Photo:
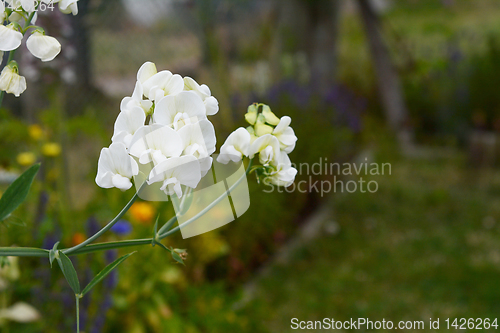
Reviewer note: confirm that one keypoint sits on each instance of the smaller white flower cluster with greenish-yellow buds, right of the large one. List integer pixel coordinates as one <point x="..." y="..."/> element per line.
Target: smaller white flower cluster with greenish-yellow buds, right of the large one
<point x="270" y="137"/>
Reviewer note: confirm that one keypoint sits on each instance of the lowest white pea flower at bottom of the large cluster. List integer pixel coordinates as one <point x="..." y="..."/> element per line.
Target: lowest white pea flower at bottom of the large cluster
<point x="174" y="172"/>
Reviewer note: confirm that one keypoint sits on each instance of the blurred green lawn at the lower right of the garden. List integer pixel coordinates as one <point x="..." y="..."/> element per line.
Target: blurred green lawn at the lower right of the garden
<point x="426" y="245"/>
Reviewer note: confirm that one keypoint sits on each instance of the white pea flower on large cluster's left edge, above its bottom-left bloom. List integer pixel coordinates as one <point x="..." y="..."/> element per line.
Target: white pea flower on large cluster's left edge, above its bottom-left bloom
<point x="127" y="123"/>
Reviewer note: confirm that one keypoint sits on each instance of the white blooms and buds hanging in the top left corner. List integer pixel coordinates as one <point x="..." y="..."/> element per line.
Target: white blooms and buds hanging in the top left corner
<point x="46" y="48"/>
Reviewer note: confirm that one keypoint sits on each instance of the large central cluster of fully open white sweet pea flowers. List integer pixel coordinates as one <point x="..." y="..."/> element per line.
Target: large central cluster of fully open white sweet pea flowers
<point x="162" y="130"/>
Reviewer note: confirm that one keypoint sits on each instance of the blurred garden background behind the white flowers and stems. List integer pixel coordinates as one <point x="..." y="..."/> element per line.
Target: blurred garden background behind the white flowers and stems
<point x="413" y="83"/>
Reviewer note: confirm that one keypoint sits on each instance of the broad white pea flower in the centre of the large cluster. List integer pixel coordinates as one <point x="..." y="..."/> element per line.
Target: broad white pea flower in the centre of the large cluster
<point x="155" y="143"/>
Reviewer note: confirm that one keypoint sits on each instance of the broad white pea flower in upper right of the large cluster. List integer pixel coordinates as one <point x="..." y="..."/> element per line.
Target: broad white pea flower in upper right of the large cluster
<point x="178" y="110"/>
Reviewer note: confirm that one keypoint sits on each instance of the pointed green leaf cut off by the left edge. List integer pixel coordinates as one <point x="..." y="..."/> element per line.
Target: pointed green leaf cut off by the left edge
<point x="17" y="191"/>
